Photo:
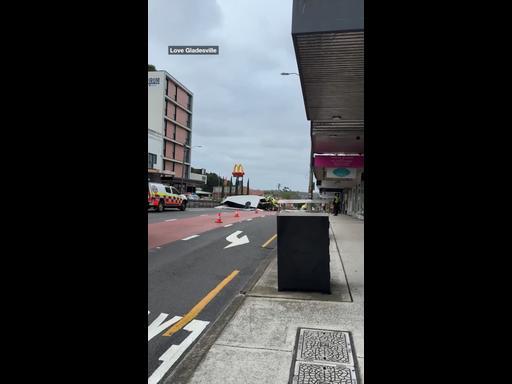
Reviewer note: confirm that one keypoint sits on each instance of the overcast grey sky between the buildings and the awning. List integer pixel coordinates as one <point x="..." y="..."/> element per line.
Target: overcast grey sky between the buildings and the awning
<point x="244" y="110"/>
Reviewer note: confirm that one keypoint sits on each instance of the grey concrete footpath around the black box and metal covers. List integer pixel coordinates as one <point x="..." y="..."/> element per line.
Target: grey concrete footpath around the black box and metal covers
<point x="258" y="345"/>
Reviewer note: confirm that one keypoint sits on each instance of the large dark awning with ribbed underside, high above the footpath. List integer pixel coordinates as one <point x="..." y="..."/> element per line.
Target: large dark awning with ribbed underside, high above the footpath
<point x="328" y="38"/>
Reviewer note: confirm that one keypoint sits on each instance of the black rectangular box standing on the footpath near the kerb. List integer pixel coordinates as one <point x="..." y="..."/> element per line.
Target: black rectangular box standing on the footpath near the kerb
<point x="303" y="252"/>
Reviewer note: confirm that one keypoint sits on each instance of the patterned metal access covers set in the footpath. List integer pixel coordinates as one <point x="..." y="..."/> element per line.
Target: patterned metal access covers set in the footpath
<point x="322" y="357"/>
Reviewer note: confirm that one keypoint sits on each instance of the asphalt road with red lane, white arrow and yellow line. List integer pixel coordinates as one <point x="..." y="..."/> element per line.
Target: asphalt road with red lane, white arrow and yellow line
<point x="194" y="275"/>
